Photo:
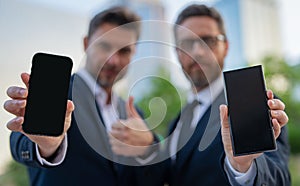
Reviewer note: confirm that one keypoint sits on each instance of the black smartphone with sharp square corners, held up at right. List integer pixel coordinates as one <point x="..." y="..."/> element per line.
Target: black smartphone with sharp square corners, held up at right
<point x="249" y="115"/>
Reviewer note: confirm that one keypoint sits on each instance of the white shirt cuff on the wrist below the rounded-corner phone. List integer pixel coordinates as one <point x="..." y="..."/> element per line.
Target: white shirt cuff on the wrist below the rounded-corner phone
<point x="59" y="157"/>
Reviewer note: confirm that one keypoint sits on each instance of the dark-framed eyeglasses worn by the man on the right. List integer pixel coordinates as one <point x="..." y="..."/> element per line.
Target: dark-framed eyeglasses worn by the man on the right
<point x="211" y="41"/>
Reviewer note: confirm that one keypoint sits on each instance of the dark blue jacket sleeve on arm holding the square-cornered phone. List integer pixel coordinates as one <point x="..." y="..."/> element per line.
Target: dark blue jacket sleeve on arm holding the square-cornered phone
<point x="272" y="167"/>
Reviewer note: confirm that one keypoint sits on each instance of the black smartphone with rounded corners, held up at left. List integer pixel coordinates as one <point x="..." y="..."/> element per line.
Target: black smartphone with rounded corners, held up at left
<point x="47" y="94"/>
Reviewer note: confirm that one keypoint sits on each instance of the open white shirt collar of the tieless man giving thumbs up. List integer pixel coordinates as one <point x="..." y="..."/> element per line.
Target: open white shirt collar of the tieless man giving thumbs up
<point x="95" y="88"/>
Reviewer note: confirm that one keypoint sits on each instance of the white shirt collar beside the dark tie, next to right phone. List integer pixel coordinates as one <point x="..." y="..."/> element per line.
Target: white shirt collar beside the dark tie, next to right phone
<point x="209" y="94"/>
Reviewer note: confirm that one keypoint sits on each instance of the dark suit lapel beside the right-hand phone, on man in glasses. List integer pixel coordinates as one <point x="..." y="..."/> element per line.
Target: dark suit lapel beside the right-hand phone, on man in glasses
<point x="205" y="132"/>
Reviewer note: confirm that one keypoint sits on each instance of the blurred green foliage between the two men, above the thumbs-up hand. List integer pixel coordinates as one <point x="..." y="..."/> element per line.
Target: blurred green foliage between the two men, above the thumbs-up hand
<point x="163" y="99"/>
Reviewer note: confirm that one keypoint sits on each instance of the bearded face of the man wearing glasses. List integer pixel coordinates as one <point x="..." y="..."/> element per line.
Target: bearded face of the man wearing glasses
<point x="203" y="62"/>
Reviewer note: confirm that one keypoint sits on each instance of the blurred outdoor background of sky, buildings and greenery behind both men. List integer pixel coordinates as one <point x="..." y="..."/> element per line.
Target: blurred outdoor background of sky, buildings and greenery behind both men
<point x="259" y="31"/>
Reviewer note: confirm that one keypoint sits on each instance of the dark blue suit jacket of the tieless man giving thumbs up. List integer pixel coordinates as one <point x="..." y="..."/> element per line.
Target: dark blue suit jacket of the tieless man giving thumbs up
<point x="83" y="165"/>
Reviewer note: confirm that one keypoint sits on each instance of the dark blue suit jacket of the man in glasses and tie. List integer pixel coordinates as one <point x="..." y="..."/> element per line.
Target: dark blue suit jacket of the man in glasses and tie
<point x="204" y="166"/>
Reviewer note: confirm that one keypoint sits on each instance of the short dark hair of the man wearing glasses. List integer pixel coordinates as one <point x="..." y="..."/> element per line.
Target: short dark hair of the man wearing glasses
<point x="200" y="10"/>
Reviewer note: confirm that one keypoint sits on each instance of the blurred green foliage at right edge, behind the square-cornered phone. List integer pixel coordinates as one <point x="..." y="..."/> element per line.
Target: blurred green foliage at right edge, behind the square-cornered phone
<point x="284" y="80"/>
